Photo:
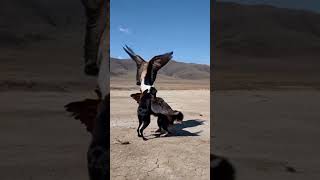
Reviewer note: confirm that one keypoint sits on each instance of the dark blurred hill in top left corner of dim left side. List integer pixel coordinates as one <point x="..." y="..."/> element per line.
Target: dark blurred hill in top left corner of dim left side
<point x="35" y="20"/>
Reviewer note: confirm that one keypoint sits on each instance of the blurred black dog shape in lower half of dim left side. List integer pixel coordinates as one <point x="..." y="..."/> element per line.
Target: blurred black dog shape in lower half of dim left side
<point x="94" y="113"/>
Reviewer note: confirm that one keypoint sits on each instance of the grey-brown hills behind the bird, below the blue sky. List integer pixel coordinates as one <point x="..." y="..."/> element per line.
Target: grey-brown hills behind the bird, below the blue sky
<point x="174" y="69"/>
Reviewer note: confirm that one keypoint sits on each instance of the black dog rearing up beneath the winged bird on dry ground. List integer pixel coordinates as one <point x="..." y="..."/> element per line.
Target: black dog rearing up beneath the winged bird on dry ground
<point x="150" y="104"/>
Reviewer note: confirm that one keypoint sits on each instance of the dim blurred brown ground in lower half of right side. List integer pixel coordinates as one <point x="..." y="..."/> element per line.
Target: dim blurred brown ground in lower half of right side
<point x="268" y="134"/>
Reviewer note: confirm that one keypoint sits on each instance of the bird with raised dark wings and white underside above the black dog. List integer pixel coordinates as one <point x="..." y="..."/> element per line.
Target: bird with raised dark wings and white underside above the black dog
<point x="147" y="71"/>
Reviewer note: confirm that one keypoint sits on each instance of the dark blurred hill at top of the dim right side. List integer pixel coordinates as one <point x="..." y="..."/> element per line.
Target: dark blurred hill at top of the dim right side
<point x="264" y="30"/>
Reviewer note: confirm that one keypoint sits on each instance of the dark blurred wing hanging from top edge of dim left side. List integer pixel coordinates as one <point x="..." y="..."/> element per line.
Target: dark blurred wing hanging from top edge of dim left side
<point x="95" y="26"/>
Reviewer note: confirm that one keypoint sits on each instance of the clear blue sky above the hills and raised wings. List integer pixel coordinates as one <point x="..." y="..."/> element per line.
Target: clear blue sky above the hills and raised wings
<point x="153" y="27"/>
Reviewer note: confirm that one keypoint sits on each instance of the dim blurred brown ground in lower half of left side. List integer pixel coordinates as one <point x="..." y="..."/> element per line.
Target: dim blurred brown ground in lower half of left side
<point x="39" y="140"/>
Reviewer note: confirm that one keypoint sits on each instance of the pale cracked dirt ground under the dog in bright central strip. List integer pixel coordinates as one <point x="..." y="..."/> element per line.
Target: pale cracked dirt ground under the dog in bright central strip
<point x="183" y="156"/>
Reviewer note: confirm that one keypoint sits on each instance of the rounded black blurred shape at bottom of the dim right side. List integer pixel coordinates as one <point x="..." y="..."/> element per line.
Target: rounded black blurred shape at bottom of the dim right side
<point x="221" y="168"/>
